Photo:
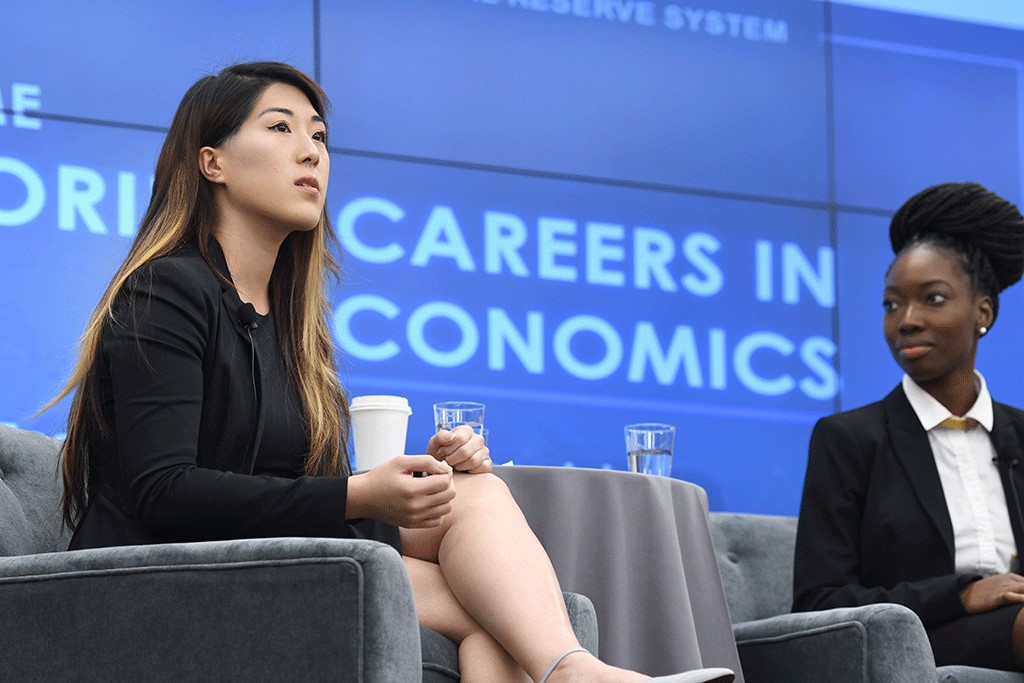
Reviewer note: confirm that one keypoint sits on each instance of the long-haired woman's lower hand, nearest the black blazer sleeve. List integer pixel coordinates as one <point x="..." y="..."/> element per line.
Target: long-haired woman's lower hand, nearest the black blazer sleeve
<point x="392" y="494"/>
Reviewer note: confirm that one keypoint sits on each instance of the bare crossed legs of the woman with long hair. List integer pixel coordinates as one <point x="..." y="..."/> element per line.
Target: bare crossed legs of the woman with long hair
<point x="484" y="580"/>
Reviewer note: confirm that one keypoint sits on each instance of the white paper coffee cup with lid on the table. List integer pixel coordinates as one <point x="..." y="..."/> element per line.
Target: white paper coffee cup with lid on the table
<point x="379" y="426"/>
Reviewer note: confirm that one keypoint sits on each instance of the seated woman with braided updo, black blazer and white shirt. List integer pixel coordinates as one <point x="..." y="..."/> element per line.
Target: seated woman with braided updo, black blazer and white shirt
<point x="917" y="499"/>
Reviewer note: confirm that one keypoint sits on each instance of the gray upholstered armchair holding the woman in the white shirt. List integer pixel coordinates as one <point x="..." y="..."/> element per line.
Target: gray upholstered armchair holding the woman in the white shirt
<point x="883" y="644"/>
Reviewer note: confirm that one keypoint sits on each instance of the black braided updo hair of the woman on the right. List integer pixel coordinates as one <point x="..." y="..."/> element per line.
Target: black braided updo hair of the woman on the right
<point x="985" y="230"/>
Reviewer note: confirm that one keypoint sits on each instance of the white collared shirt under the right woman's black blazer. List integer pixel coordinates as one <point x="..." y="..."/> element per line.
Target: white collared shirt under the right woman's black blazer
<point x="984" y="538"/>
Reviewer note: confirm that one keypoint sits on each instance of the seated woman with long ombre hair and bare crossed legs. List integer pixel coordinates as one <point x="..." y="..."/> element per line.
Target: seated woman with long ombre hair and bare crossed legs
<point x="207" y="404"/>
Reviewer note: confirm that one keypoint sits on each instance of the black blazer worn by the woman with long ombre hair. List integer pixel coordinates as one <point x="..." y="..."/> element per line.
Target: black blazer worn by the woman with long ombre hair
<point x="180" y="385"/>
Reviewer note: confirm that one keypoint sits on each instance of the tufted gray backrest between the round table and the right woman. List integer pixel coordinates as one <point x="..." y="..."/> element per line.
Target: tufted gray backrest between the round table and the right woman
<point x="755" y="558"/>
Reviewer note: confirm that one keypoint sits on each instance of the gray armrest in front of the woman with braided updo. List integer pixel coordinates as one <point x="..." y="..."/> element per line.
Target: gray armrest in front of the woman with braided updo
<point x="882" y="643"/>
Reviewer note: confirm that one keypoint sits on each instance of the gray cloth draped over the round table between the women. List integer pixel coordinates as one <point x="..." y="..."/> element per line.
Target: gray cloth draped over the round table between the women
<point x="639" y="547"/>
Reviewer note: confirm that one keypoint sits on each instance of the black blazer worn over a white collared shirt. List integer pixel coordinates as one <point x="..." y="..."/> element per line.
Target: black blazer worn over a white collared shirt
<point x="874" y="525"/>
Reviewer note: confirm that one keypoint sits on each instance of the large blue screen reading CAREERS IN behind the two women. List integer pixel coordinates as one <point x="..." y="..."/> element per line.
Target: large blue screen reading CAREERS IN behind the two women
<point x="583" y="214"/>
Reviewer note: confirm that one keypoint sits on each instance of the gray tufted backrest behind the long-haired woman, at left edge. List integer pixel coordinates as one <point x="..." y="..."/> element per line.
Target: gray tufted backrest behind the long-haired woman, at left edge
<point x="30" y="494"/>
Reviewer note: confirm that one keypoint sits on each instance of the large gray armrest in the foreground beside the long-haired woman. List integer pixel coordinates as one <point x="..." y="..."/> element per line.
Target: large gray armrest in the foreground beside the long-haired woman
<point x="255" y="610"/>
